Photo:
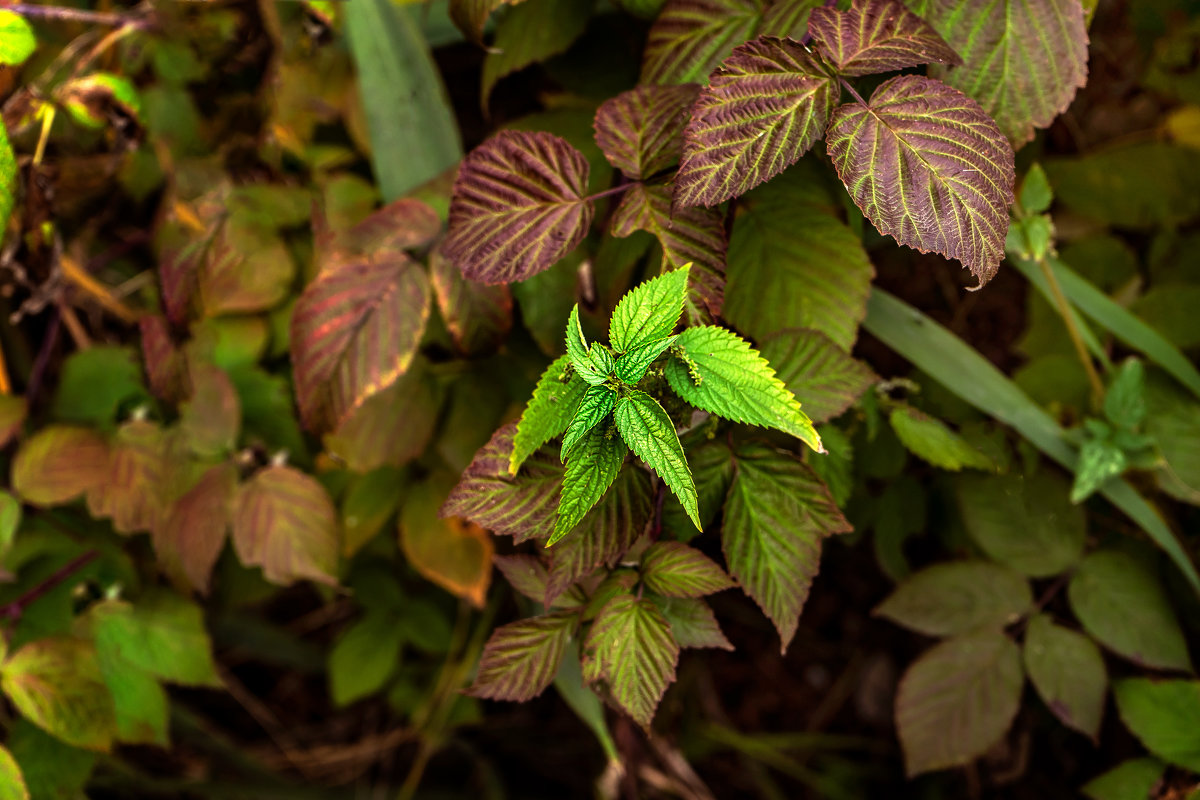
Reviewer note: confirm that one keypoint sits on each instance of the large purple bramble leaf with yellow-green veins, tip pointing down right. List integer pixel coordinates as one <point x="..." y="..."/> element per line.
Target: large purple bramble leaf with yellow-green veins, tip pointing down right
<point x="928" y="167"/>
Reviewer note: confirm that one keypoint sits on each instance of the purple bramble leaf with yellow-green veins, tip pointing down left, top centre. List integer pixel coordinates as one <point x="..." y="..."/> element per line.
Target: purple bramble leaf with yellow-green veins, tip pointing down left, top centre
<point x="764" y="109"/>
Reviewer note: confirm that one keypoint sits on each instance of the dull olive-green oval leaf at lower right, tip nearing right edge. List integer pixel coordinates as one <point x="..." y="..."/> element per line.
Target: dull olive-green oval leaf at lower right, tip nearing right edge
<point x="1121" y="603"/>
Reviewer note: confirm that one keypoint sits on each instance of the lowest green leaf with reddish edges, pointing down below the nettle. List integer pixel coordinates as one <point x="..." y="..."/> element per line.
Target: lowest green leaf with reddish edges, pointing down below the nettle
<point x="632" y="651"/>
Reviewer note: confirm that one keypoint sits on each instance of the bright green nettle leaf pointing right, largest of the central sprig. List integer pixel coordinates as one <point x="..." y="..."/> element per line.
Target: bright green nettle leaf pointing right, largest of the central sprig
<point x="723" y="375"/>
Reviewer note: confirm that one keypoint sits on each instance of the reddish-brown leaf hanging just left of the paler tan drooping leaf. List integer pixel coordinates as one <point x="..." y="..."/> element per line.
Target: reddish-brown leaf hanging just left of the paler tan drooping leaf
<point x="194" y="532"/>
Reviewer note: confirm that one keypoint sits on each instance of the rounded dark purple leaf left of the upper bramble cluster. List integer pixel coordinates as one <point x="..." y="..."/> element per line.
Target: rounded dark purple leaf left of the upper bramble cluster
<point x="519" y="206"/>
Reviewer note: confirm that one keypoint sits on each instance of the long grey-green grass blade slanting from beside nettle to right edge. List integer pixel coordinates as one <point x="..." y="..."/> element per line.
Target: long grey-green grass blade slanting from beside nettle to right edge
<point x="962" y="370"/>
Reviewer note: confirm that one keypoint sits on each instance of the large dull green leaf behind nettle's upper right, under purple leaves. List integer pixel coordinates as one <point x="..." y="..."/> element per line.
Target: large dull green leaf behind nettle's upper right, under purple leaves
<point x="790" y="245"/>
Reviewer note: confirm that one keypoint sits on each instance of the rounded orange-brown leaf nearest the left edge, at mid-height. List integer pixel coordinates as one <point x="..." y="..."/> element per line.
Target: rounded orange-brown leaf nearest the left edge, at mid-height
<point x="58" y="465"/>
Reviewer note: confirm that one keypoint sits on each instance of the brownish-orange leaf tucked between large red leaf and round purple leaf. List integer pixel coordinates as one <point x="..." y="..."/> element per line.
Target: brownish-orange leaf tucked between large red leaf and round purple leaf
<point x="478" y="316"/>
